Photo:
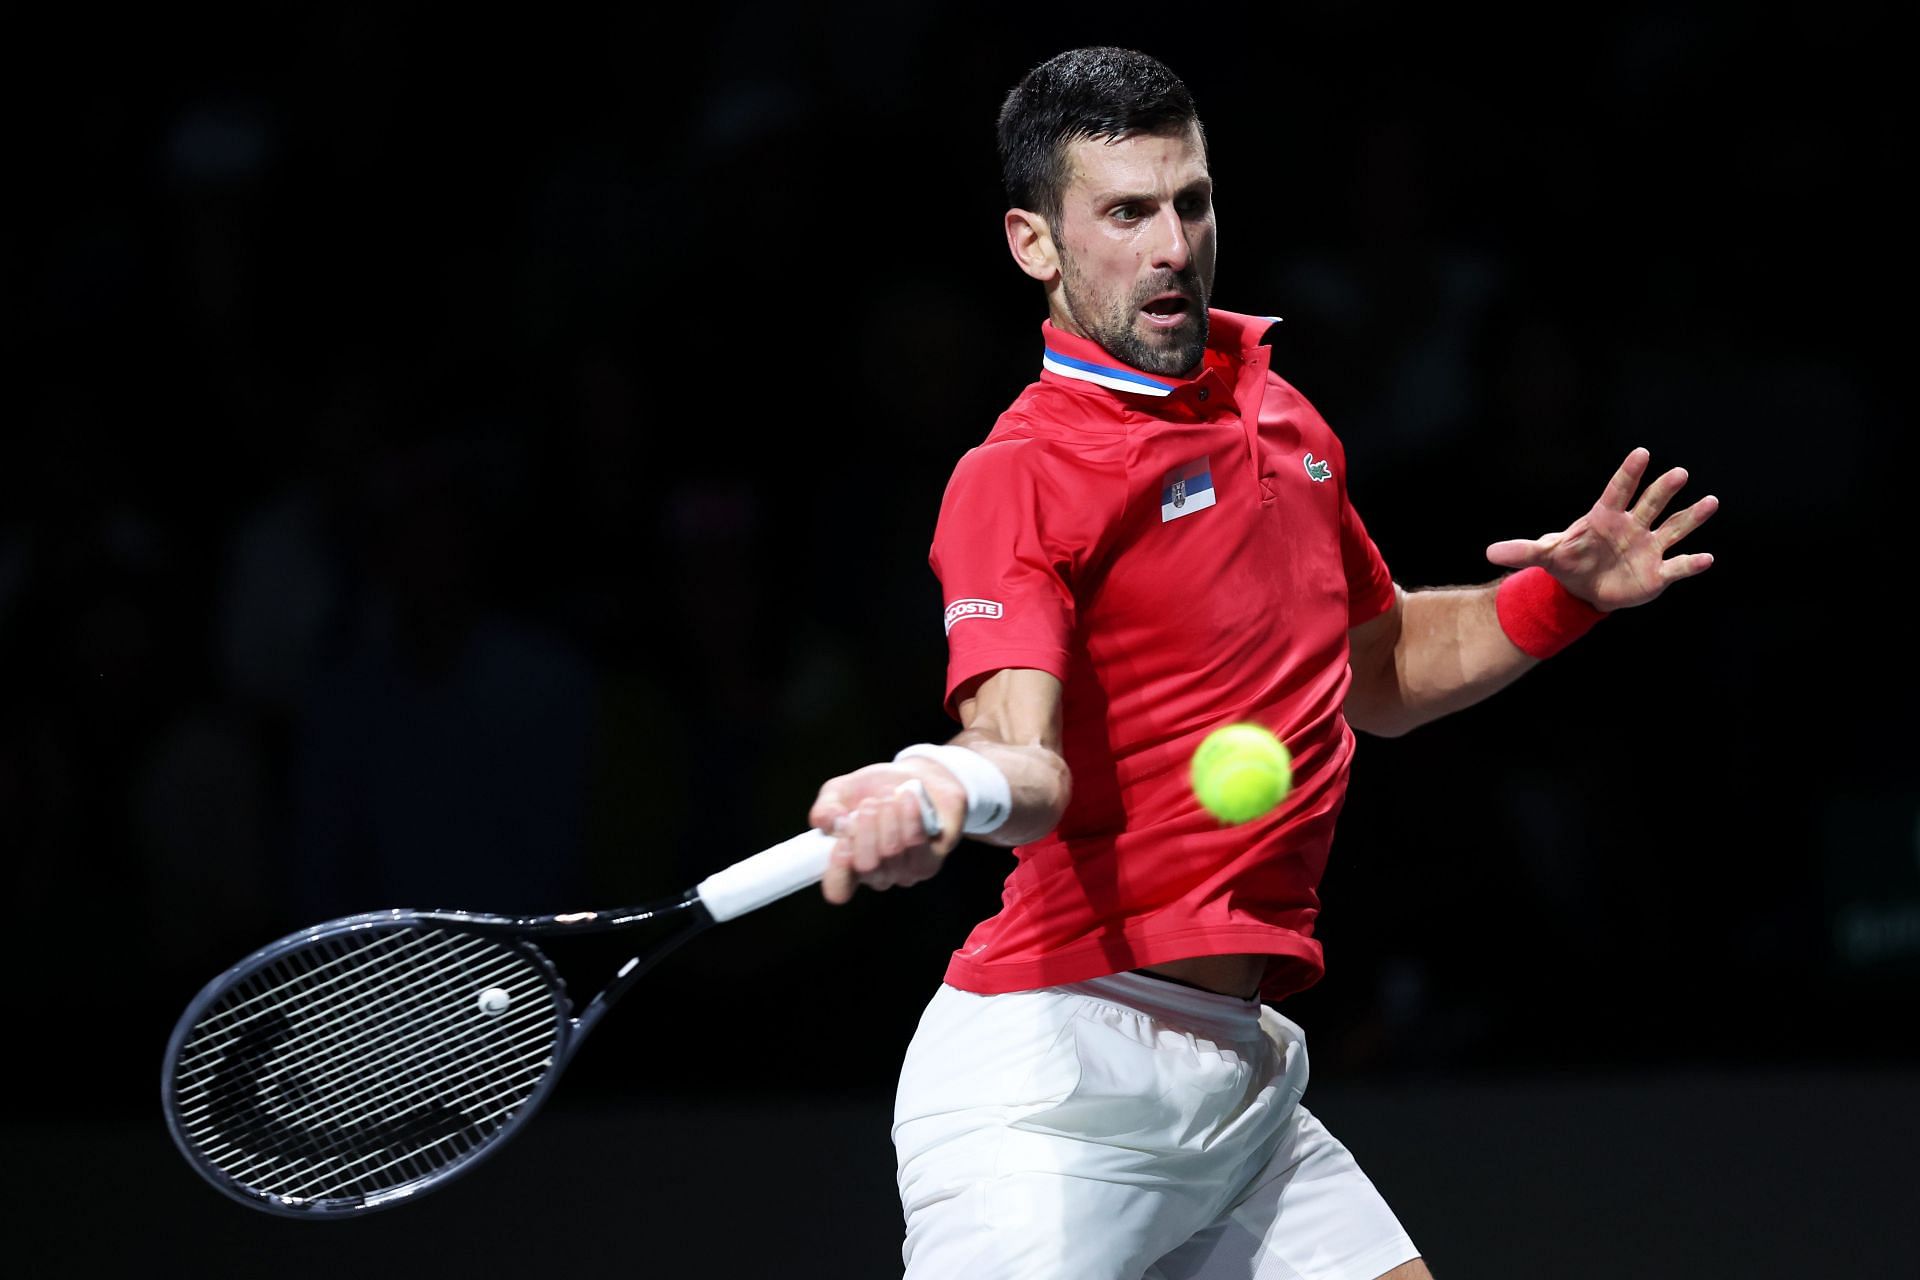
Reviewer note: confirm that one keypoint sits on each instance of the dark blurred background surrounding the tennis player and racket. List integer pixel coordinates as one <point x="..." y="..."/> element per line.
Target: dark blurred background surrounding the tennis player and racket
<point x="491" y="462"/>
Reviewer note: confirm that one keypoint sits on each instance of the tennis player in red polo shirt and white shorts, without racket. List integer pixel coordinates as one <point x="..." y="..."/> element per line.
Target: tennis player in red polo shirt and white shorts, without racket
<point x="1153" y="542"/>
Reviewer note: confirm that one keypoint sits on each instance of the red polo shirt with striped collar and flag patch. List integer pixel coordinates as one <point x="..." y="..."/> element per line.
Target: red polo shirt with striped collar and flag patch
<point x="1182" y="554"/>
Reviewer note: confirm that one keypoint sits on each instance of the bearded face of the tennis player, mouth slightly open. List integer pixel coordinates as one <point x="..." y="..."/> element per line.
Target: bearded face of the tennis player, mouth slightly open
<point x="1136" y="239"/>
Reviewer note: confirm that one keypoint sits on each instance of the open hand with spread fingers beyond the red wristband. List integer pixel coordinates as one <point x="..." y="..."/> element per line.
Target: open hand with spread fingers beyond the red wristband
<point x="1614" y="557"/>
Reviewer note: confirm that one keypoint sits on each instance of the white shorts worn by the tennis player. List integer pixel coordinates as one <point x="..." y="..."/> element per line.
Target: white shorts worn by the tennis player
<point x="1124" y="1129"/>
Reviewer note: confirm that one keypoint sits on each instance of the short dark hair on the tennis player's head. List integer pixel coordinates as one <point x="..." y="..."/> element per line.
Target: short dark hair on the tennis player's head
<point x="1086" y="93"/>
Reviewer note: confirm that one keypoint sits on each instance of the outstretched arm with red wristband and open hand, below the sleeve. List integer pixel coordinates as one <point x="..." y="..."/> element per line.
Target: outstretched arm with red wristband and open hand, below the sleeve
<point x="1443" y="650"/>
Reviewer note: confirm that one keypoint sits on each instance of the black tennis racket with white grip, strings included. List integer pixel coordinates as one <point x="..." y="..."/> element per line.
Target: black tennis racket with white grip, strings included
<point x="364" y="1062"/>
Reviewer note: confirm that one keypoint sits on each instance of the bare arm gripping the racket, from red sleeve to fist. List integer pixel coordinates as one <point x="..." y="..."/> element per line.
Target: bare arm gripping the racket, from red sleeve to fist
<point x="1013" y="723"/>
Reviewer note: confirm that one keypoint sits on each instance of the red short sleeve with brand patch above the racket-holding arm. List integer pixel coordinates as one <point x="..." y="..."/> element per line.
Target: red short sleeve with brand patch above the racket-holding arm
<point x="1013" y="529"/>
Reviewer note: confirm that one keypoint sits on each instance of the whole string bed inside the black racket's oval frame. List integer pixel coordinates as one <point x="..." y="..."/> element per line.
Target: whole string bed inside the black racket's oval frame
<point x="356" y="1066"/>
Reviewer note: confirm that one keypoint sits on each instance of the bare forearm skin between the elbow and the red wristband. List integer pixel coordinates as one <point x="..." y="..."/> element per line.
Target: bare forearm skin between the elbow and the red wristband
<point x="1451" y="655"/>
